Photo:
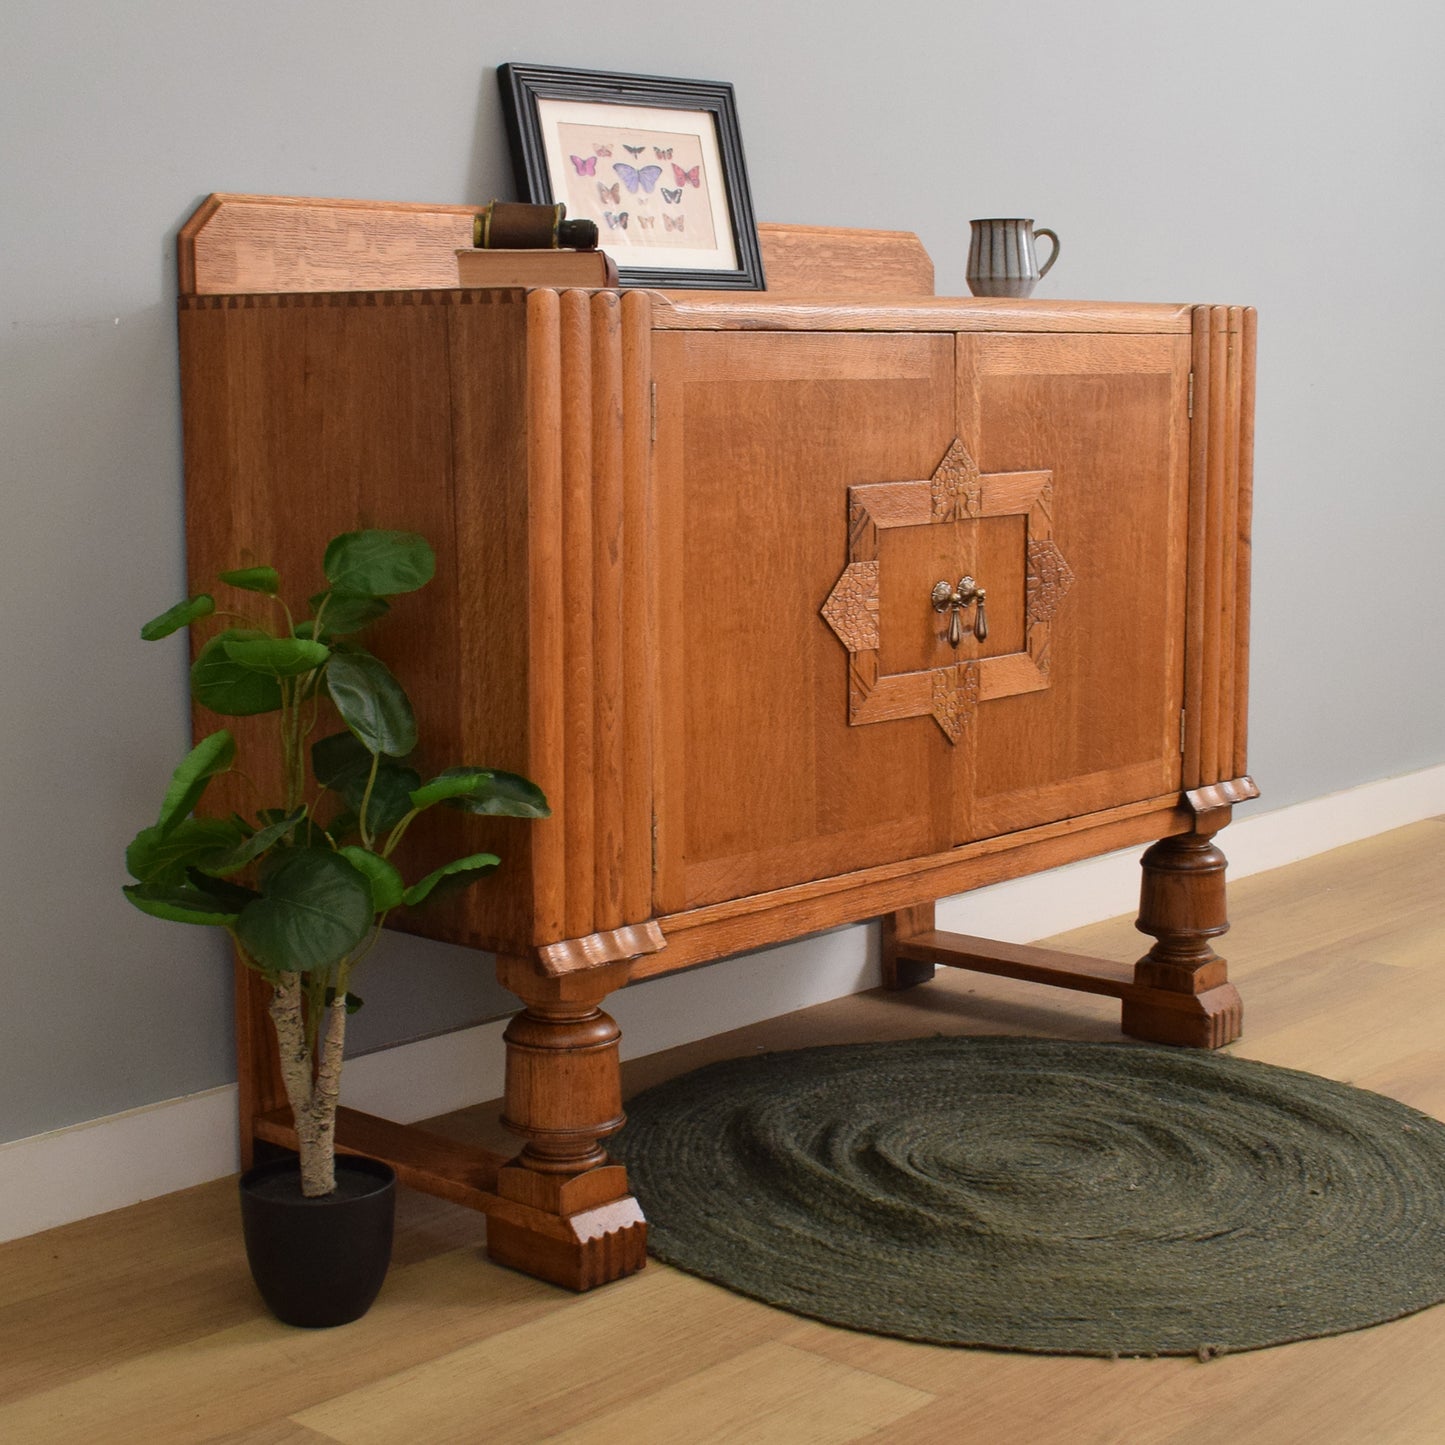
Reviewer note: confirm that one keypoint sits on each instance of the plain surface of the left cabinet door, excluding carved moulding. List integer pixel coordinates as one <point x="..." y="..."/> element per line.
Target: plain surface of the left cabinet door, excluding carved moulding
<point x="762" y="780"/>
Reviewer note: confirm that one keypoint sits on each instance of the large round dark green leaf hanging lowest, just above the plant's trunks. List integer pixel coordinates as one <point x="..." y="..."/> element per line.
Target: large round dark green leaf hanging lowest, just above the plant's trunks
<point x="314" y="910"/>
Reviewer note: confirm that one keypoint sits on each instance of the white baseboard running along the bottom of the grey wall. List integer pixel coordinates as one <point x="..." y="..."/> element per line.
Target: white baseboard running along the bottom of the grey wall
<point x="108" y="1164"/>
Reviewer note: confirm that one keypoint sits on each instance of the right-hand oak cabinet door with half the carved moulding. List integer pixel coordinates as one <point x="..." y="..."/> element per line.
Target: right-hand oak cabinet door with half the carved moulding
<point x="1093" y="573"/>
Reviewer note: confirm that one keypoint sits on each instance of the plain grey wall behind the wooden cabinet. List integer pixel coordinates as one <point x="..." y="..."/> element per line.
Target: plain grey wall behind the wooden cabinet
<point x="1249" y="151"/>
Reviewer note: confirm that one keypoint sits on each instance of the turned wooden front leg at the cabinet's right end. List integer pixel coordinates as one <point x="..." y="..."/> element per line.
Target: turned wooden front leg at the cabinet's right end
<point x="1183" y="907"/>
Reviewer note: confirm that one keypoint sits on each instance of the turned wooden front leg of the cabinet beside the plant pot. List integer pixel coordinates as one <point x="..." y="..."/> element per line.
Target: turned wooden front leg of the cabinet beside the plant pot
<point x="566" y="1212"/>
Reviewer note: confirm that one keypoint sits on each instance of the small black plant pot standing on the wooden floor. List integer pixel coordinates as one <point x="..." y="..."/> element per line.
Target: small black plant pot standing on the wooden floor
<point x="319" y="1262"/>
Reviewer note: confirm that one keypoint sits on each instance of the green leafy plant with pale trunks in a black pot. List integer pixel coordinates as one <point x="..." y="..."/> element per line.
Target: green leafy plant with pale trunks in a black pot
<point x="306" y="876"/>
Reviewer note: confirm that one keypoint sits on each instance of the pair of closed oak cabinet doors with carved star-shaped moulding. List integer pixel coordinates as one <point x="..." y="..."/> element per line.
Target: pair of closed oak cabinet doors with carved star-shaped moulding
<point x="817" y="712"/>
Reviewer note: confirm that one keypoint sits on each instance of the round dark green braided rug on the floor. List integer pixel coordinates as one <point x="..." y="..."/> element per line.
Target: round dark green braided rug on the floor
<point x="1045" y="1196"/>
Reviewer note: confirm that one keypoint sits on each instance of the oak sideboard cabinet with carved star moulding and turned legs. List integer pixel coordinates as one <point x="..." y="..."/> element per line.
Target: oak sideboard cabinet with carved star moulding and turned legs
<point x="712" y="573"/>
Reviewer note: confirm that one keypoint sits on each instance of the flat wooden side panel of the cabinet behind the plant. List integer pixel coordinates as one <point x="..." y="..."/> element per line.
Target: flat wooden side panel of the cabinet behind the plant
<point x="307" y="417"/>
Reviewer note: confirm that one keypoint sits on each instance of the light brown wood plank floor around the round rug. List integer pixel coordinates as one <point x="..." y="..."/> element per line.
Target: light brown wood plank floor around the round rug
<point x="142" y="1326"/>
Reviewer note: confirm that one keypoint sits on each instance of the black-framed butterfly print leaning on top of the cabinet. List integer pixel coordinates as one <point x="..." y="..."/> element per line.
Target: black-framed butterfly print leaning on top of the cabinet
<point x="655" y="163"/>
